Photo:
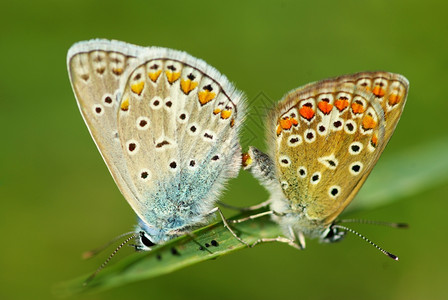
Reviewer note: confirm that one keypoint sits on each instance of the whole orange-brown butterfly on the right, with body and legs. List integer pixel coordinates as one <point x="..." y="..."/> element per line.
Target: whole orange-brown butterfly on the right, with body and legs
<point x="324" y="139"/>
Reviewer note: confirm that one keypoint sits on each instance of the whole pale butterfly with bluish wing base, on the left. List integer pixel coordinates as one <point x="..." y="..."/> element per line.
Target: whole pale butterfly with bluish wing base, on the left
<point x="166" y="124"/>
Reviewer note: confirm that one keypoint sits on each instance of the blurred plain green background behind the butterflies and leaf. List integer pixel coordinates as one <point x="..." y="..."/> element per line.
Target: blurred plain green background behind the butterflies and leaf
<point x="59" y="200"/>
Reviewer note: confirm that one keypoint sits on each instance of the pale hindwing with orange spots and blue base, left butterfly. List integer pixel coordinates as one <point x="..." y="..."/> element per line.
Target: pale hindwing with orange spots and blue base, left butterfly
<point x="178" y="123"/>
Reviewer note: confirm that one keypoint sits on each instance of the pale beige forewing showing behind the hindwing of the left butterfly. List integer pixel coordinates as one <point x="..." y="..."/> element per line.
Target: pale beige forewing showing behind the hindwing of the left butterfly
<point x="98" y="70"/>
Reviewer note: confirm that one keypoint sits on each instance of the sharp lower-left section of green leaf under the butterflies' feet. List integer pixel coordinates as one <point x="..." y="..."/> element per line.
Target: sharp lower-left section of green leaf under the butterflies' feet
<point x="173" y="255"/>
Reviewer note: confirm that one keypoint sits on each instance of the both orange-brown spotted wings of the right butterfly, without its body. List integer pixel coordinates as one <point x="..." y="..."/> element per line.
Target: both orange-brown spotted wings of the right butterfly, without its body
<point x="327" y="136"/>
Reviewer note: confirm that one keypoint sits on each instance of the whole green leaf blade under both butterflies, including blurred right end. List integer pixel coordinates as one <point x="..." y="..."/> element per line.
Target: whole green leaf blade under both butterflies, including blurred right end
<point x="407" y="173"/>
